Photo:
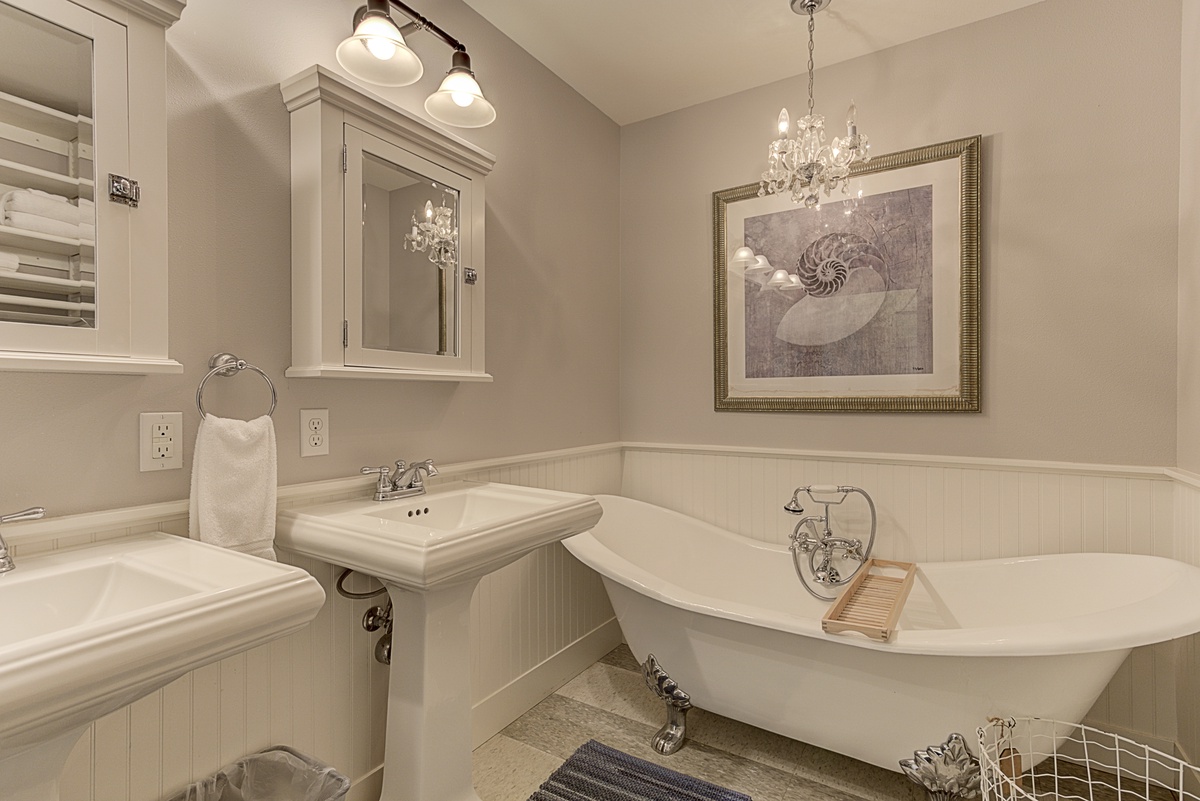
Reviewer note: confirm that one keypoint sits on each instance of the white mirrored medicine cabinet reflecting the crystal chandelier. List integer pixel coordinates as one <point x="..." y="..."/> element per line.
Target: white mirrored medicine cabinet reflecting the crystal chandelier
<point x="344" y="140"/>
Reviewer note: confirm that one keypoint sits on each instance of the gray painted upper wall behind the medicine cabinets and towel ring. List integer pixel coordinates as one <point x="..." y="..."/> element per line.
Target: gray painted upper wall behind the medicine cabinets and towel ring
<point x="70" y="442"/>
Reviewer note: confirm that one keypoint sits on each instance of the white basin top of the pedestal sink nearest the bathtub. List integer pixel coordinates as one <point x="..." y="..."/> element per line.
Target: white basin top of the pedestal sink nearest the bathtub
<point x="455" y="533"/>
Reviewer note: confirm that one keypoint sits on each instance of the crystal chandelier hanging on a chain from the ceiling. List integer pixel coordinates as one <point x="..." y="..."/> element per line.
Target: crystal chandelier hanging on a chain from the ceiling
<point x="806" y="166"/>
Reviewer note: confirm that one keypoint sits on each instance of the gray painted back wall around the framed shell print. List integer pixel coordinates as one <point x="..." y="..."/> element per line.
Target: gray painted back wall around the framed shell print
<point x="1079" y="106"/>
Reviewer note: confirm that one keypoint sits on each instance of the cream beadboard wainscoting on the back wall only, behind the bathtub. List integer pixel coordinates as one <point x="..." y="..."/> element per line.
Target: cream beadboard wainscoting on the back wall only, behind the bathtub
<point x="946" y="510"/>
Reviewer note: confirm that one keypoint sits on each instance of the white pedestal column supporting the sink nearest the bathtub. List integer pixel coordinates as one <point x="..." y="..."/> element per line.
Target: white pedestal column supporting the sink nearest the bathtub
<point x="428" y="755"/>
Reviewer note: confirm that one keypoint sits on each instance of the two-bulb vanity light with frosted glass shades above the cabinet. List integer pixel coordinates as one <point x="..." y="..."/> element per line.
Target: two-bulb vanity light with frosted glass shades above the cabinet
<point x="377" y="53"/>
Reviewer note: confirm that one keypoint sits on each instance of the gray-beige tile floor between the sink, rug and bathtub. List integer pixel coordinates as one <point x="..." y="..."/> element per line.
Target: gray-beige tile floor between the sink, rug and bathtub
<point x="609" y="702"/>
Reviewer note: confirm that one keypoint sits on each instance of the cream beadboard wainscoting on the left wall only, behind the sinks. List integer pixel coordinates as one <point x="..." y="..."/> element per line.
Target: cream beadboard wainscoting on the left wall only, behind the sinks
<point x="537" y="624"/>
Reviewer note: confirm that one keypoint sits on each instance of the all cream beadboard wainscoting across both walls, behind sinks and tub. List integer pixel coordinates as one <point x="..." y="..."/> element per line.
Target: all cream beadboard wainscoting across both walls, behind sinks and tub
<point x="543" y="619"/>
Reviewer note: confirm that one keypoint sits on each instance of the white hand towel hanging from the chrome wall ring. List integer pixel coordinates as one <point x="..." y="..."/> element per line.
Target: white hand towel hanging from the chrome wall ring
<point x="235" y="484"/>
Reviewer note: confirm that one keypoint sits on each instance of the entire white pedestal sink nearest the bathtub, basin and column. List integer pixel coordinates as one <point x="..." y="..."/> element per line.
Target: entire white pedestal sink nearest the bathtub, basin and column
<point x="430" y="552"/>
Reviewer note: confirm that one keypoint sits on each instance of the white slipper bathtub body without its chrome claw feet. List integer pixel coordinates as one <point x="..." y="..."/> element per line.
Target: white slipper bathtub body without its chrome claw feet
<point x="728" y="619"/>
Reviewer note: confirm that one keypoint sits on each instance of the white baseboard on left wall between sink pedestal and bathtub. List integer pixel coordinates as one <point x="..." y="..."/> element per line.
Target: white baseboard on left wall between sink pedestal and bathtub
<point x="525" y="692"/>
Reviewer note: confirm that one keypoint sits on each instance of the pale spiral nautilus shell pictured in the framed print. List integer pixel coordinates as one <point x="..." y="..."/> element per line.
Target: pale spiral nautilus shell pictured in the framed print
<point x="843" y="275"/>
